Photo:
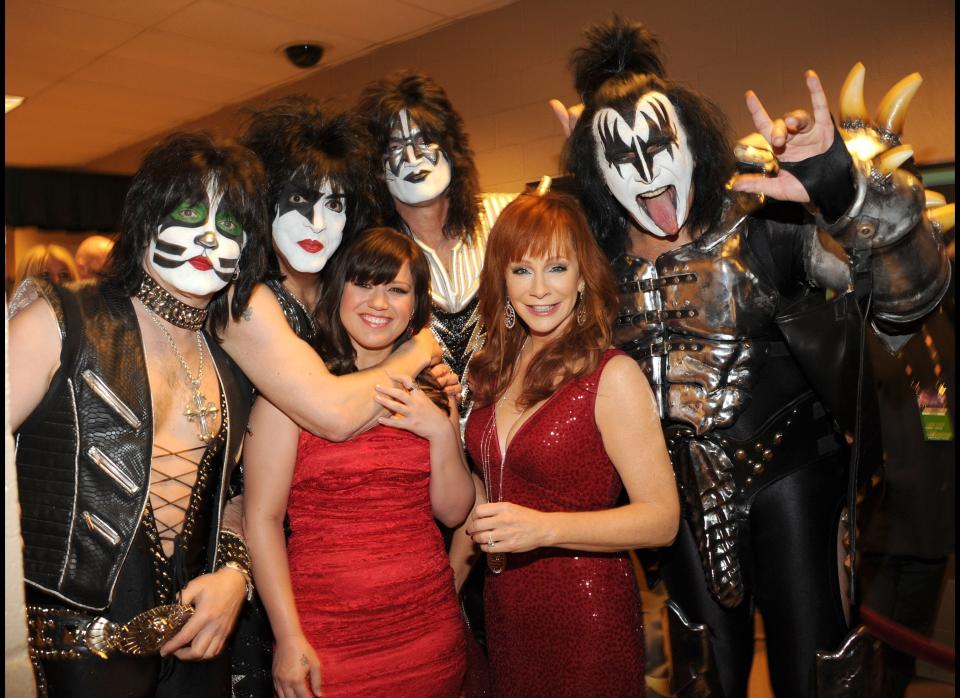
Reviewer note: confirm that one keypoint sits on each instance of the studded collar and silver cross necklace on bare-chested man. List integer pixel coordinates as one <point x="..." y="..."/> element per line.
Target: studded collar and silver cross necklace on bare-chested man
<point x="161" y="304"/>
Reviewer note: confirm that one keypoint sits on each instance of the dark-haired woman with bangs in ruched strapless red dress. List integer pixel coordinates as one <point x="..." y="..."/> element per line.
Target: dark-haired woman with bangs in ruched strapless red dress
<point x="362" y="602"/>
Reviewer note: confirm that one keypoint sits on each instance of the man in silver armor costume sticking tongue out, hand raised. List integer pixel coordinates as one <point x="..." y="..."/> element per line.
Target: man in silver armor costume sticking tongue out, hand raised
<point x="756" y="375"/>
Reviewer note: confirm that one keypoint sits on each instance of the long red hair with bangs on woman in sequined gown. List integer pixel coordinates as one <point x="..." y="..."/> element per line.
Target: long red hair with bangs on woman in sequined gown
<point x="541" y="226"/>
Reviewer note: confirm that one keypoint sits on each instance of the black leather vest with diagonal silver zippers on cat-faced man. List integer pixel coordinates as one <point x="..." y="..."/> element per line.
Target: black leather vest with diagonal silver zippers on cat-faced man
<point x="83" y="455"/>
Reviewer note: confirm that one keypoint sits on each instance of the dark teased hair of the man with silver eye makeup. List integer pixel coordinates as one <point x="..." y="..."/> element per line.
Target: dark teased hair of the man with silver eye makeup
<point x="429" y="106"/>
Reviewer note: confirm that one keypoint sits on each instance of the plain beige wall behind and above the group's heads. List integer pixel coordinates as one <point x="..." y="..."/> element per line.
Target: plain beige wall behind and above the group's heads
<point x="500" y="68"/>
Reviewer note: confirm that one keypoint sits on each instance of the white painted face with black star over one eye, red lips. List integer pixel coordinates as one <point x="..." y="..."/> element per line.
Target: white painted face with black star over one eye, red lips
<point x="308" y="227"/>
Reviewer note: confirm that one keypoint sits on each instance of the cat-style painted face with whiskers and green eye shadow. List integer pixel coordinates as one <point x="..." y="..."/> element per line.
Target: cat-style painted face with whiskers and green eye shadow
<point x="197" y="246"/>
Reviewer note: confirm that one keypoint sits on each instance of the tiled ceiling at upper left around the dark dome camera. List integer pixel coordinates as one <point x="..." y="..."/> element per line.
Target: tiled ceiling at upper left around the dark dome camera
<point x="99" y="75"/>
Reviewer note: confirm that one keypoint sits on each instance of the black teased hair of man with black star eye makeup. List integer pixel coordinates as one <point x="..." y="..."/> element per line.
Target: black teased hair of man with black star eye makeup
<point x="293" y="135"/>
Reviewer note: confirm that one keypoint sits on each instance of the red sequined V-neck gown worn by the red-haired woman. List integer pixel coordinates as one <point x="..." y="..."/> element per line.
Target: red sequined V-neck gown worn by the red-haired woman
<point x="560" y="622"/>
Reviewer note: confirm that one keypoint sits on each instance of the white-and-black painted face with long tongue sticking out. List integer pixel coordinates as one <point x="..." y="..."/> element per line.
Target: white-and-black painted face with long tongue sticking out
<point x="647" y="165"/>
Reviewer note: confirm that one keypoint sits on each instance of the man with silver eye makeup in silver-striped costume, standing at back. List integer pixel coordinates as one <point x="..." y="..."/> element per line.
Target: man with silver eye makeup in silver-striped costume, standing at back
<point x="430" y="190"/>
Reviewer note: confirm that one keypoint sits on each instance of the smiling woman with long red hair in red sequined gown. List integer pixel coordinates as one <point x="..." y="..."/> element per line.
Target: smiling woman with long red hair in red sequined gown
<point x="562" y="424"/>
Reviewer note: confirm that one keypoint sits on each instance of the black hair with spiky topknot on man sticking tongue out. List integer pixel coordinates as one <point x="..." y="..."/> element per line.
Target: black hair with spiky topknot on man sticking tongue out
<point x="620" y="63"/>
